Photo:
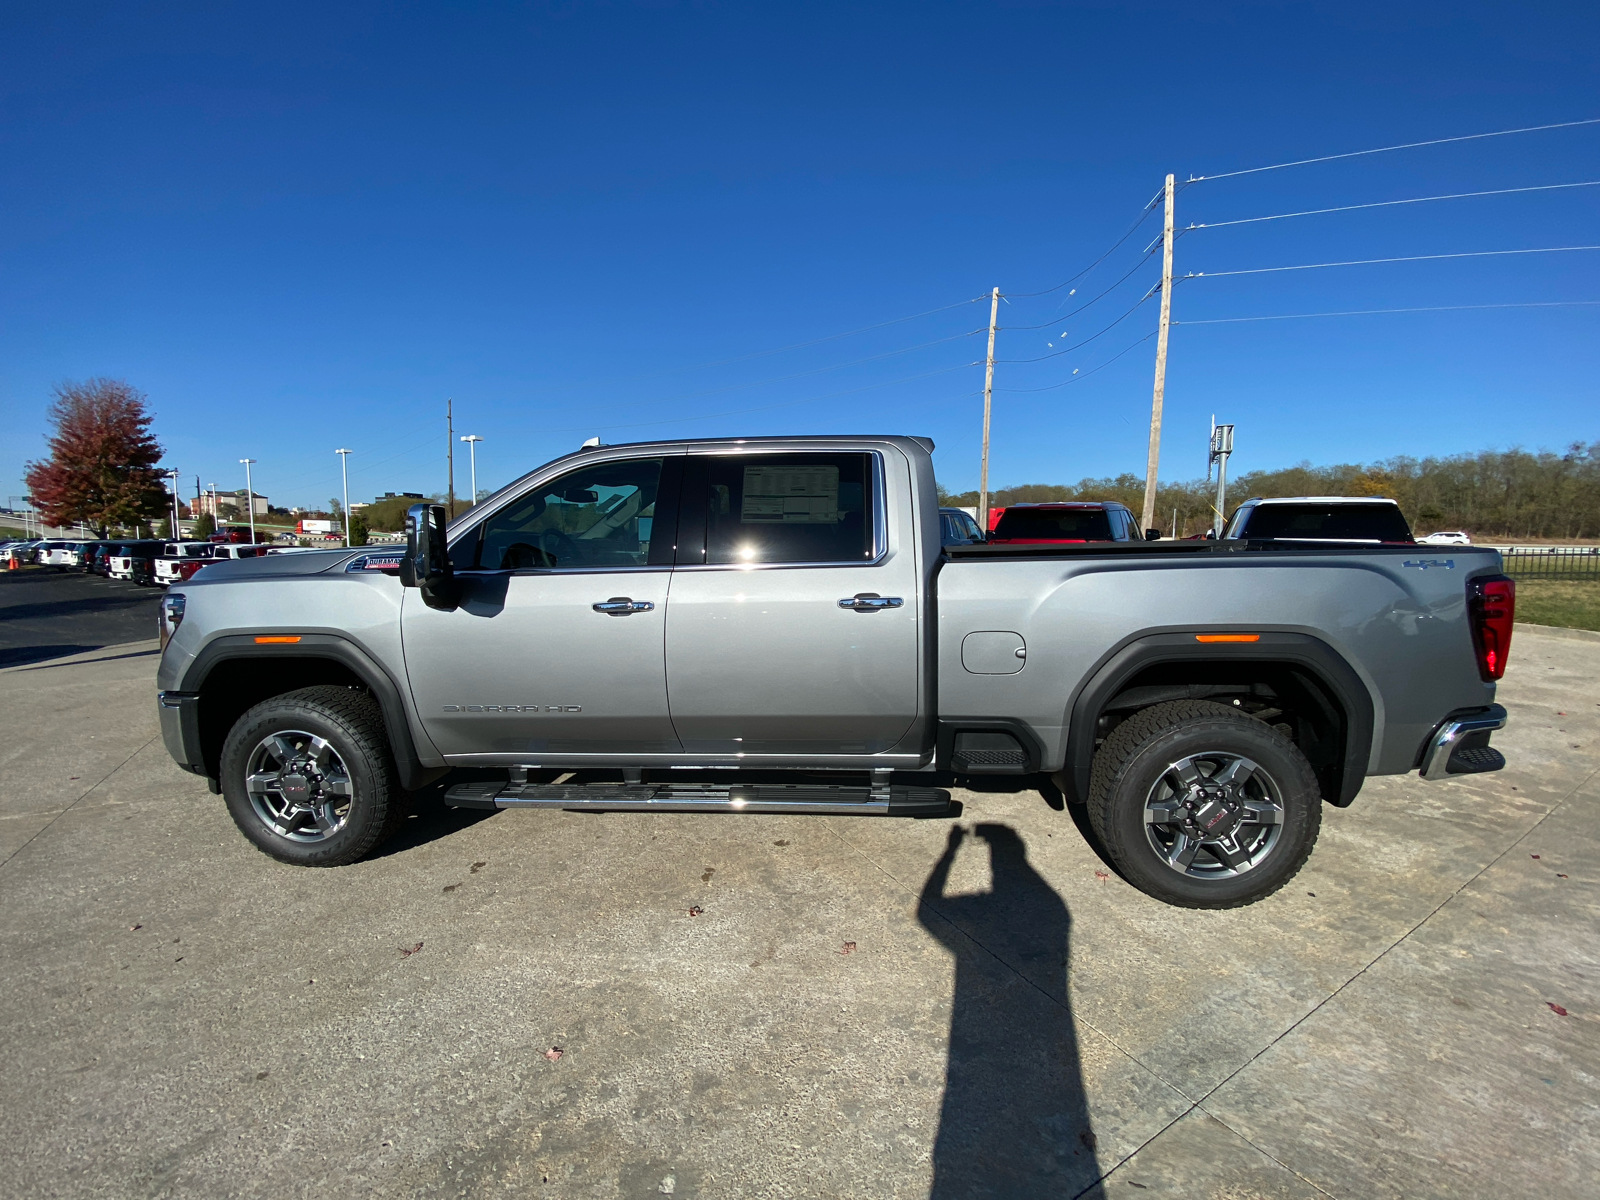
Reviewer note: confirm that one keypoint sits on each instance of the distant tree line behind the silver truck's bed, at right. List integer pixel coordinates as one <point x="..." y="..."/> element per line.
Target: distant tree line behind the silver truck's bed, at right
<point x="1495" y="494"/>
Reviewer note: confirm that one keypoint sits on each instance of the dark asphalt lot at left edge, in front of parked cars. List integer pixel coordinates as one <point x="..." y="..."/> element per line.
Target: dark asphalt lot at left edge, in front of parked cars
<point x="47" y="615"/>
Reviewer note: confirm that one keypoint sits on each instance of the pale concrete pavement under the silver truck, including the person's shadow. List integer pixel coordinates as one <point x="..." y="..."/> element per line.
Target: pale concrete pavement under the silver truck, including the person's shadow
<point x="551" y="1004"/>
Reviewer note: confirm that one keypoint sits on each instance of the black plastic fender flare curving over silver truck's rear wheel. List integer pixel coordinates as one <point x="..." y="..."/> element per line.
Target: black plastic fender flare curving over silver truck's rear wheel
<point x="1314" y="655"/>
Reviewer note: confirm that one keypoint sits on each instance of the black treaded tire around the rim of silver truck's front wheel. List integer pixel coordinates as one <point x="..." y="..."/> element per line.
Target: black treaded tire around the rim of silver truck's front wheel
<point x="353" y="726"/>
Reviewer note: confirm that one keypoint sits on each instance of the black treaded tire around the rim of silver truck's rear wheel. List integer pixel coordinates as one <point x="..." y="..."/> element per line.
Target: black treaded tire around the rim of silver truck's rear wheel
<point x="1140" y="753"/>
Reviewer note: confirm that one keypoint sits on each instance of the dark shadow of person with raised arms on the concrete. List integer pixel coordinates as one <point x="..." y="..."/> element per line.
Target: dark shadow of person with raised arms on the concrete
<point x="1015" y="1121"/>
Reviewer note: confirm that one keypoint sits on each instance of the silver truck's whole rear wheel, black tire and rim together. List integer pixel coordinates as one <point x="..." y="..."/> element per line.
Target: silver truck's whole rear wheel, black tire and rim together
<point x="1202" y="806"/>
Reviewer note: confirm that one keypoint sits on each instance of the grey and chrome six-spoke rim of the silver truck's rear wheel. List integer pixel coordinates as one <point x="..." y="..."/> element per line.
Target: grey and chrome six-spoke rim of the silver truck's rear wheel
<point x="1214" y="815"/>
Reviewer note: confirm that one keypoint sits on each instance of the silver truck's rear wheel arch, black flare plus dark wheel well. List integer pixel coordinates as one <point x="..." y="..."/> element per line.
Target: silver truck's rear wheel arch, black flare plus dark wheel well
<point x="1340" y="706"/>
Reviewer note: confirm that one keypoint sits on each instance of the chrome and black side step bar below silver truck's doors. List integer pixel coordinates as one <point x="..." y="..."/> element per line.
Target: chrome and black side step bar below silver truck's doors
<point x="706" y="799"/>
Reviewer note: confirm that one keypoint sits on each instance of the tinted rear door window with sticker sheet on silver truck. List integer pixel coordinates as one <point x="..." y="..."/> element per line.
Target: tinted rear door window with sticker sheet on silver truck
<point x="780" y="510"/>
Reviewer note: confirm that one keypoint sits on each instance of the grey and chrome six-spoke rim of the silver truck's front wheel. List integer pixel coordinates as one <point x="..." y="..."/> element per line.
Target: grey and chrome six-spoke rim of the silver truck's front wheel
<point x="300" y="786"/>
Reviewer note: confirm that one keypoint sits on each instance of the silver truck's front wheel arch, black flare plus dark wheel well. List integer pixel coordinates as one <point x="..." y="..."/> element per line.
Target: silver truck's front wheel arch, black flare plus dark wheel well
<point x="236" y="673"/>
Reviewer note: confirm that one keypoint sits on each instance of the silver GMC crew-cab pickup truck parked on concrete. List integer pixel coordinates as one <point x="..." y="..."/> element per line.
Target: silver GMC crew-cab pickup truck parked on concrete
<point x="774" y="625"/>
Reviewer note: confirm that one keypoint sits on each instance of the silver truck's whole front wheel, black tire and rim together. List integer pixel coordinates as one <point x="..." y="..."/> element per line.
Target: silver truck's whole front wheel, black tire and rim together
<point x="310" y="777"/>
